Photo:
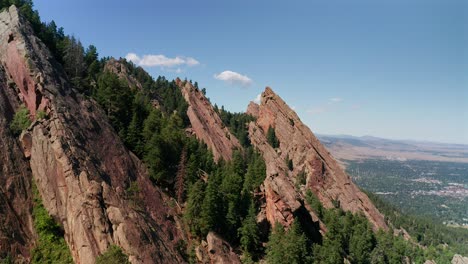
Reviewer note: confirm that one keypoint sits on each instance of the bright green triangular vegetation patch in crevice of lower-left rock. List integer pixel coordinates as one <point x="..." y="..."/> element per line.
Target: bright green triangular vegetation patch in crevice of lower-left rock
<point x="51" y="246"/>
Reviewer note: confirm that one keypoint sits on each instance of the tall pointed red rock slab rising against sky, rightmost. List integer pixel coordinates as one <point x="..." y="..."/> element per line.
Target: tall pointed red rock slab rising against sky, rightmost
<point x="324" y="176"/>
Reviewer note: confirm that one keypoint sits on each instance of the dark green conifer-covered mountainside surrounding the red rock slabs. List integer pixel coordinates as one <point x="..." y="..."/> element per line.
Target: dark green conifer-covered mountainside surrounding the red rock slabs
<point x="225" y="197"/>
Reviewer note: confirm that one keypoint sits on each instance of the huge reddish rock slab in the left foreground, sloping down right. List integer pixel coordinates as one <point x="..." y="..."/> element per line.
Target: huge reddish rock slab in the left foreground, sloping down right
<point x="80" y="166"/>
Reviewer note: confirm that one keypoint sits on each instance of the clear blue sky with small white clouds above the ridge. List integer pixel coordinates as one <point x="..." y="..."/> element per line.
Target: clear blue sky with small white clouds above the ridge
<point x="395" y="69"/>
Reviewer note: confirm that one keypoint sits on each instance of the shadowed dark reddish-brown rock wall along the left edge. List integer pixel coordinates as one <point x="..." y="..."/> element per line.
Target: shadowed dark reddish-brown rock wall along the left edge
<point x="16" y="231"/>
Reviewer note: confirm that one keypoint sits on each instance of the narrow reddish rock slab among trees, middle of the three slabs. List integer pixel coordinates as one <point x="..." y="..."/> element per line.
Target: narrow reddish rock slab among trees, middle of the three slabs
<point x="206" y="124"/>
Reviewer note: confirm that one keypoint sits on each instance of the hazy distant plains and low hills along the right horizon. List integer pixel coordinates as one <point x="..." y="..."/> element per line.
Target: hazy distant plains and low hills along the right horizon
<point x="346" y="147"/>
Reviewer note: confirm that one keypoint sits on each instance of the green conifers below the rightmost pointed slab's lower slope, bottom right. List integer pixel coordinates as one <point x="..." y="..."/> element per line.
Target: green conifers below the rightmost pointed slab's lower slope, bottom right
<point x="350" y="236"/>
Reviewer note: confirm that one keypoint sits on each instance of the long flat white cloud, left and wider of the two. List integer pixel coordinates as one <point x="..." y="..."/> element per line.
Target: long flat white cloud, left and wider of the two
<point x="160" y="60"/>
